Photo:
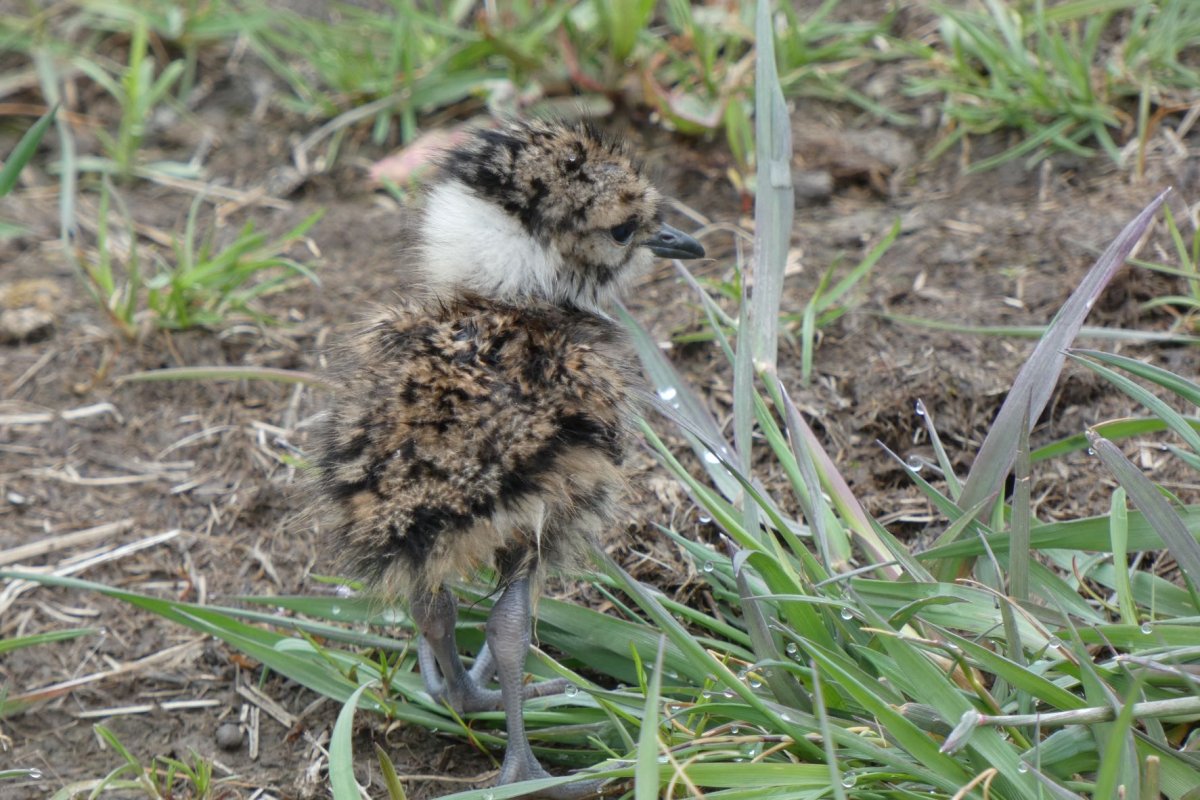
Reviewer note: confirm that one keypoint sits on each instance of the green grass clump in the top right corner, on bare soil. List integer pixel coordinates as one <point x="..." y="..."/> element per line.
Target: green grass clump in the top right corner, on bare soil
<point x="1057" y="76"/>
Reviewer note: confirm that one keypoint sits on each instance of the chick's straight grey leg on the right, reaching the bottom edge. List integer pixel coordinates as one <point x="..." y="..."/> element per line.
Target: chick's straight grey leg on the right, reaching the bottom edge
<point x="508" y="639"/>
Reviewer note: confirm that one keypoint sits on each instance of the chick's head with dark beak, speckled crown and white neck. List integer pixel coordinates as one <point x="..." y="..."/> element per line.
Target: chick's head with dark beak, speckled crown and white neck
<point x="543" y="210"/>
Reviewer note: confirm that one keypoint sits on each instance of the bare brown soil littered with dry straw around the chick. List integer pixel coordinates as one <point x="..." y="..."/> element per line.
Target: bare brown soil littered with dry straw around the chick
<point x="196" y="472"/>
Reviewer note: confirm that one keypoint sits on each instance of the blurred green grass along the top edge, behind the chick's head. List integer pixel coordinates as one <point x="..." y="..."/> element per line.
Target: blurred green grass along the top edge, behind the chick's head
<point x="692" y="64"/>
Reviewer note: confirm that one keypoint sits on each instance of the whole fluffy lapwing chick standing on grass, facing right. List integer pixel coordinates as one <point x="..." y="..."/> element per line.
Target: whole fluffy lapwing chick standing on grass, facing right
<point x="484" y="422"/>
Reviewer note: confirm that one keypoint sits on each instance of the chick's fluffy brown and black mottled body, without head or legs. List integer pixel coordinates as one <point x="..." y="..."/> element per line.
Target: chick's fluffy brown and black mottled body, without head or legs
<point x="475" y="432"/>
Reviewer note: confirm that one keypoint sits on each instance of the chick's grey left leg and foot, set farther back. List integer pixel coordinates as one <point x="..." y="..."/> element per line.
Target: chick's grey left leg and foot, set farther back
<point x="446" y="677"/>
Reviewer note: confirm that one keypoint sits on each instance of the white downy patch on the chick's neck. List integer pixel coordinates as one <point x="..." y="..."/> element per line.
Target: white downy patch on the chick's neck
<point x="472" y="245"/>
